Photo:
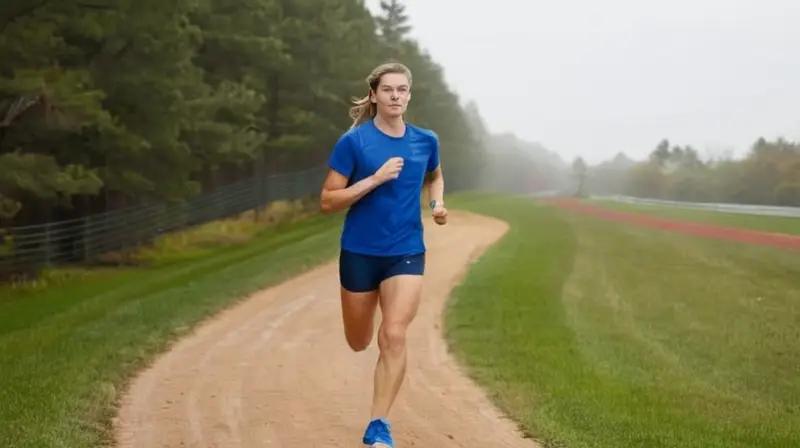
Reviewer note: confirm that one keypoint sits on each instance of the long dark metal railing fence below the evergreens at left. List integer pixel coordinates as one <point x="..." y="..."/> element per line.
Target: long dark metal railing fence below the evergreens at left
<point x="29" y="248"/>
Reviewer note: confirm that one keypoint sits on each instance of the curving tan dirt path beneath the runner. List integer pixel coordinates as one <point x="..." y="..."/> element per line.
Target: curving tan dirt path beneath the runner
<point x="275" y="371"/>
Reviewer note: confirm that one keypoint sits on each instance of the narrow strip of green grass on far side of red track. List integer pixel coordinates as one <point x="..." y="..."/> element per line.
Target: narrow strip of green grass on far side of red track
<point x="776" y="224"/>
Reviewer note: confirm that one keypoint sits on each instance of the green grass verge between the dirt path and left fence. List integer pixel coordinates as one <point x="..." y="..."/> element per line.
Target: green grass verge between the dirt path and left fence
<point x="66" y="349"/>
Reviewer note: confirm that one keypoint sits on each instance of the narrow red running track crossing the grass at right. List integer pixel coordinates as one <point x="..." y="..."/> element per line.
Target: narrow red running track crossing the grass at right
<point x="779" y="240"/>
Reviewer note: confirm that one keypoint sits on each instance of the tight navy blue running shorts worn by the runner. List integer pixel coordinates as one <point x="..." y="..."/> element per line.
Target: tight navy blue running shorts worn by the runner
<point x="363" y="273"/>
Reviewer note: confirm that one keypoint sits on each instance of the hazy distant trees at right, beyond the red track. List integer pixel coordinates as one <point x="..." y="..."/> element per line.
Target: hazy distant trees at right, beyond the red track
<point x="768" y="174"/>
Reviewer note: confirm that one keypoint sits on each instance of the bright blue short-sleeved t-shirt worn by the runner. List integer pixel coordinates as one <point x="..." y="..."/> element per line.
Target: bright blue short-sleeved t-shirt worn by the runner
<point x="386" y="221"/>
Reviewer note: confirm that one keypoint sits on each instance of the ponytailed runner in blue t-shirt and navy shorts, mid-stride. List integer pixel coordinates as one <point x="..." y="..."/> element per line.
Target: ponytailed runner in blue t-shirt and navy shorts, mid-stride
<point x="377" y="171"/>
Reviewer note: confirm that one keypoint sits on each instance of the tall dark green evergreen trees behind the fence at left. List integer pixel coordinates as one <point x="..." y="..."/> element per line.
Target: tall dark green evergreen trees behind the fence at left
<point x="107" y="103"/>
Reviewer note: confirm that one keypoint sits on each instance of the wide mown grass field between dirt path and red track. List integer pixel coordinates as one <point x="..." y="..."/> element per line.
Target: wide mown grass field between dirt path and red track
<point x="596" y="334"/>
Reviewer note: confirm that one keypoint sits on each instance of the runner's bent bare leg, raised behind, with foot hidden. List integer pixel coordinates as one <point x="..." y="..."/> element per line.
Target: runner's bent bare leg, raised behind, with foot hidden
<point x="358" y="316"/>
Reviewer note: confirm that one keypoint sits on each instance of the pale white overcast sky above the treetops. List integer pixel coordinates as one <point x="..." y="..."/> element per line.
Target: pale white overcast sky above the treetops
<point x="595" y="77"/>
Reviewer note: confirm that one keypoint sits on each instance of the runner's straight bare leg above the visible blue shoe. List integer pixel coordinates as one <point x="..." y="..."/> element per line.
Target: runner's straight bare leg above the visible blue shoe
<point x="399" y="301"/>
